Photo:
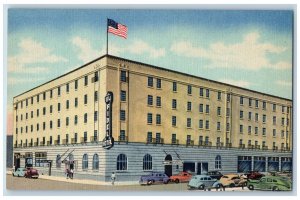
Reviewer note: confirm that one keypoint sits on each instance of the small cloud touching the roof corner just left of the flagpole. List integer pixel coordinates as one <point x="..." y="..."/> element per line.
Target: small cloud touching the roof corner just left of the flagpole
<point x="86" y="52"/>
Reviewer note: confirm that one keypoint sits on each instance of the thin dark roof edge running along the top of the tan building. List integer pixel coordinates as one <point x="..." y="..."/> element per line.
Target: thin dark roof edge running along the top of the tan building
<point x="152" y="66"/>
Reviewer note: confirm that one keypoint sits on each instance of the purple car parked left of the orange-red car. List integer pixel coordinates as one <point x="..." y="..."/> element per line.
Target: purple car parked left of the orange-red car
<point x="154" y="177"/>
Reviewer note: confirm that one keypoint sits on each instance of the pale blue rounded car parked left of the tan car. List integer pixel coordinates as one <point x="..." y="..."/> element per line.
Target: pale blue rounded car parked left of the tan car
<point x="202" y="182"/>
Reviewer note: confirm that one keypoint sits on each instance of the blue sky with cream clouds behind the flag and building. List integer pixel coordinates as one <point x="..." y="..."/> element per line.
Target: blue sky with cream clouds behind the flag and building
<point x="247" y="48"/>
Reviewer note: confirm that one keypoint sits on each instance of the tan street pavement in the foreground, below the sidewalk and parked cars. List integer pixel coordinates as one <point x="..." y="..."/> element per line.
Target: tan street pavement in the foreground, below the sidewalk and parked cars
<point x="20" y="183"/>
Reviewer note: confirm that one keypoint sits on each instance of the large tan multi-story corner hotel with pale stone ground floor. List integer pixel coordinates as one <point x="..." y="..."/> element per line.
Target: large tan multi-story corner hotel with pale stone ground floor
<point x="161" y="120"/>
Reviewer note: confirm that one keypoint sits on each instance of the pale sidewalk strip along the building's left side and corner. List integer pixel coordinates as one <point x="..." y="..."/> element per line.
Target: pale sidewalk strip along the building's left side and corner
<point x="83" y="181"/>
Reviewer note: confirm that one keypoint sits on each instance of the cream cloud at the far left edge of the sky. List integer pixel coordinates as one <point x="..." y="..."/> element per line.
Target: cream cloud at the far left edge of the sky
<point x="32" y="53"/>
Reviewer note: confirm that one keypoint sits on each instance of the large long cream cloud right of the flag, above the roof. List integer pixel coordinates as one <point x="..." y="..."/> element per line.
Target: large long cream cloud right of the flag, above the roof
<point x="249" y="54"/>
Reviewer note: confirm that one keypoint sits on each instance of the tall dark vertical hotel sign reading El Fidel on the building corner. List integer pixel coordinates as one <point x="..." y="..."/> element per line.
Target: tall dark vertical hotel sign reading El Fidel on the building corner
<point x="108" y="141"/>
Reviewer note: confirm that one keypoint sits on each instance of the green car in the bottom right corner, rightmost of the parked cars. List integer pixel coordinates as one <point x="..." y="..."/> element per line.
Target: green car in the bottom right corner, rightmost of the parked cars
<point x="275" y="183"/>
